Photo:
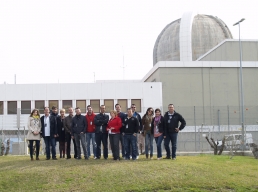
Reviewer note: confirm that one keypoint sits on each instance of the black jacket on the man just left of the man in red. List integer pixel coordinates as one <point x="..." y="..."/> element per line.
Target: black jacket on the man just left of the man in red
<point x="79" y="124"/>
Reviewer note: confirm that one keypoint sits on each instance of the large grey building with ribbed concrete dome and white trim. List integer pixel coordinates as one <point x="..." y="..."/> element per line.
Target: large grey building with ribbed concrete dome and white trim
<point x="197" y="61"/>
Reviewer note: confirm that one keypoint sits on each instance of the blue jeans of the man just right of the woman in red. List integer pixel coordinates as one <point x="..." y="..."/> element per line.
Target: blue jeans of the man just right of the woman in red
<point x="130" y="140"/>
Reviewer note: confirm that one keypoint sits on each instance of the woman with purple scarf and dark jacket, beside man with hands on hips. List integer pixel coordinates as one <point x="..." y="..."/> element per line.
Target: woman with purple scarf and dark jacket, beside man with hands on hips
<point x="158" y="129"/>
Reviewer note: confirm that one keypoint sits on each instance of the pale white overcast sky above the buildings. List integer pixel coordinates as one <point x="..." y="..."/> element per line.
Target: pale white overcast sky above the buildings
<point x="82" y="41"/>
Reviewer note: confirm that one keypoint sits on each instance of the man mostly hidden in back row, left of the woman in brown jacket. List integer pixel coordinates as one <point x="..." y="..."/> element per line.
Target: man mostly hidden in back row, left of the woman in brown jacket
<point x="139" y="138"/>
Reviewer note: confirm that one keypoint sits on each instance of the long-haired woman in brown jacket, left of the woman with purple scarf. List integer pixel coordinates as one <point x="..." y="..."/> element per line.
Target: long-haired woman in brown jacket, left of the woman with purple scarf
<point x="146" y="122"/>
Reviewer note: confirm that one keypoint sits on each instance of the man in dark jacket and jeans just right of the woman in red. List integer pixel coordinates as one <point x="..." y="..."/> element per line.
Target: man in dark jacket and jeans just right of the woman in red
<point x="129" y="132"/>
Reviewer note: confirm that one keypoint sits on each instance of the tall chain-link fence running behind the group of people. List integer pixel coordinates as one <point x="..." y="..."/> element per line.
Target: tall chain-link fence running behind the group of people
<point x="202" y="122"/>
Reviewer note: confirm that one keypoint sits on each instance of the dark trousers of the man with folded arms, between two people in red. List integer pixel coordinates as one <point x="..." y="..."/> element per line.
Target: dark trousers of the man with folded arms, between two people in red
<point x="101" y="137"/>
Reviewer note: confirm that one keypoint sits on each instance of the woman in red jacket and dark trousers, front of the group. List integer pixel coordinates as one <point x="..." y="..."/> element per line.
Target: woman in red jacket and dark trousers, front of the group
<point x="113" y="128"/>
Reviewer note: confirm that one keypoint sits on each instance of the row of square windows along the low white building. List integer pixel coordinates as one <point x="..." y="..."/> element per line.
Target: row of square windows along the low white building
<point x="26" y="105"/>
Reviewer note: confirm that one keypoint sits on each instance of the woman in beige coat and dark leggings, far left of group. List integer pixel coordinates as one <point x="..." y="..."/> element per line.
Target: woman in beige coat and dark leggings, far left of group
<point x="34" y="127"/>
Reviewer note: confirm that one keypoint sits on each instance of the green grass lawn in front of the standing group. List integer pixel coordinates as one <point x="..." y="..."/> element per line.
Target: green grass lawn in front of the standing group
<point x="187" y="173"/>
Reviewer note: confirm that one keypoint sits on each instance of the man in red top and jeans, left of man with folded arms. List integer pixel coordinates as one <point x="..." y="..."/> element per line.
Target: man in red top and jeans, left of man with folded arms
<point x="90" y="132"/>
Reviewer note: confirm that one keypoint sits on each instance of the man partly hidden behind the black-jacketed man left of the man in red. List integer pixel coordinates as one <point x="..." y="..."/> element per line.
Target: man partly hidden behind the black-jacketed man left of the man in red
<point x="68" y="134"/>
